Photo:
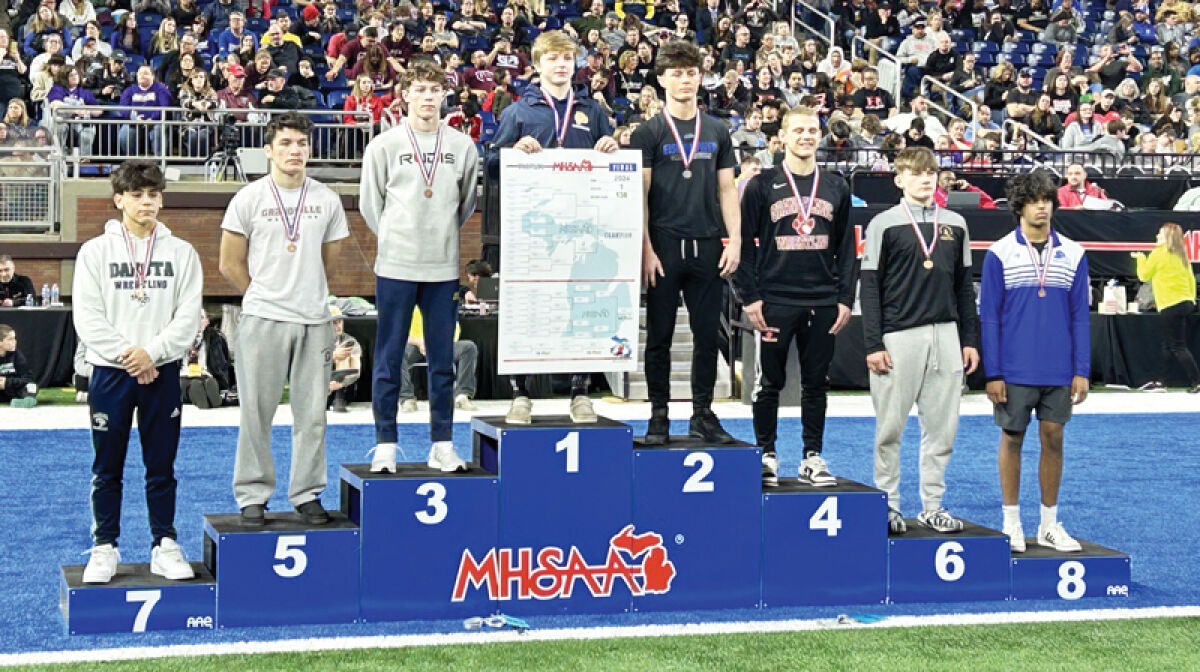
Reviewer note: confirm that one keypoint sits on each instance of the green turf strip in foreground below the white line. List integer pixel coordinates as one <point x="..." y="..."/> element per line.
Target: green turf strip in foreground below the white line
<point x="1159" y="645"/>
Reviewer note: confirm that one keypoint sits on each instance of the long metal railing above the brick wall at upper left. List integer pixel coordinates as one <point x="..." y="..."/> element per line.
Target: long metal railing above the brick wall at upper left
<point x="177" y="140"/>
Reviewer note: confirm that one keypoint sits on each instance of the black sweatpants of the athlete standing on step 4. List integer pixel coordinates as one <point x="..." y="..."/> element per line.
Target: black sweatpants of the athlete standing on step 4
<point x="809" y="328"/>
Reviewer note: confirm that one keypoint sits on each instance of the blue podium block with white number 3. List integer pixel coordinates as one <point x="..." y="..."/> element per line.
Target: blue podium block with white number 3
<point x="422" y="531"/>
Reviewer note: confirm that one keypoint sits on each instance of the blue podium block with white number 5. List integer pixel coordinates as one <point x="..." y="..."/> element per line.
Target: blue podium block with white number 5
<point x="286" y="573"/>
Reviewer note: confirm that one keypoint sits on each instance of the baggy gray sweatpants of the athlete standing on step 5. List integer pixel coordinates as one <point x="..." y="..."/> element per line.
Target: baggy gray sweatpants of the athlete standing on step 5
<point x="271" y="353"/>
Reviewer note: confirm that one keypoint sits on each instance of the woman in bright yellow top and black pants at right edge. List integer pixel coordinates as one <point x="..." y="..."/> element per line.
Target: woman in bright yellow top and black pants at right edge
<point x="1169" y="272"/>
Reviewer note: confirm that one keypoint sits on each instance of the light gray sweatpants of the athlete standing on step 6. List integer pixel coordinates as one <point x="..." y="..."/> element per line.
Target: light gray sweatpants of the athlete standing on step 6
<point x="927" y="369"/>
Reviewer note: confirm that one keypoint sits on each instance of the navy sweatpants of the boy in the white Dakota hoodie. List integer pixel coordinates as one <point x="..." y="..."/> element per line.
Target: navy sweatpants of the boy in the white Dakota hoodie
<point x="112" y="399"/>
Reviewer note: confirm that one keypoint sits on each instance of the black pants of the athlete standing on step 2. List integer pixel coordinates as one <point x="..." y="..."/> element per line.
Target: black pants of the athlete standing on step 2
<point x="689" y="267"/>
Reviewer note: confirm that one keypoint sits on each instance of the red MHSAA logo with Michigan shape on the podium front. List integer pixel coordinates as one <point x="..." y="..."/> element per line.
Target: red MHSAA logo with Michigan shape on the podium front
<point x="640" y="561"/>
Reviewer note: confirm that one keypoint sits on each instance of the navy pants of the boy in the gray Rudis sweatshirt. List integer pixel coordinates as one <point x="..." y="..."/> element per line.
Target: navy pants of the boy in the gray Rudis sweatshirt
<point x="440" y="311"/>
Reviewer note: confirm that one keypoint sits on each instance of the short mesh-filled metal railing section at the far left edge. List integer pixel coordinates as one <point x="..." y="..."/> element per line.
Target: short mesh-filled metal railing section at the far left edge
<point x="29" y="184"/>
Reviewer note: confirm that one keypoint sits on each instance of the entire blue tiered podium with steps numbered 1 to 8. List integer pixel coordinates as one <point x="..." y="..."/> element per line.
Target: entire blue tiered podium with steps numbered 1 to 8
<point x="556" y="518"/>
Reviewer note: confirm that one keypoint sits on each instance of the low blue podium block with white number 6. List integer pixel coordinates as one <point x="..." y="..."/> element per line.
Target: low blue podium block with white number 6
<point x="929" y="567"/>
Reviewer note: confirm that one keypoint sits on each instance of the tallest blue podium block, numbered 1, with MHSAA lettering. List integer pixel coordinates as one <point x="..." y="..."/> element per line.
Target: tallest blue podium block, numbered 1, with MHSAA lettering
<point x="565" y="513"/>
